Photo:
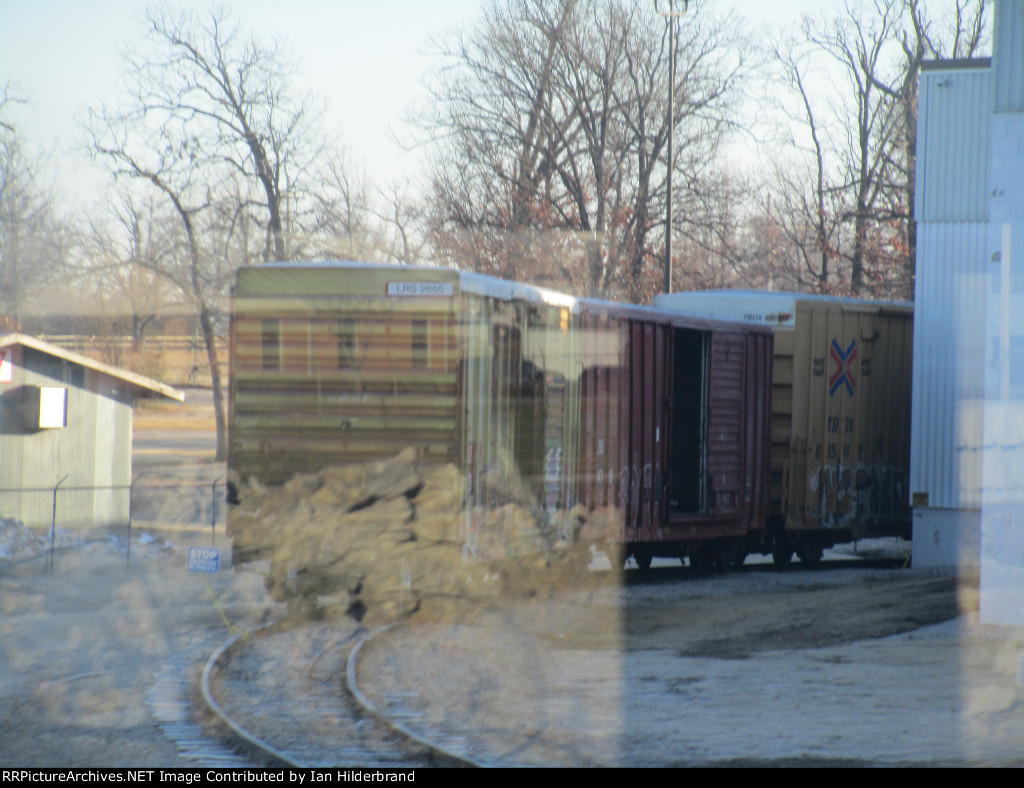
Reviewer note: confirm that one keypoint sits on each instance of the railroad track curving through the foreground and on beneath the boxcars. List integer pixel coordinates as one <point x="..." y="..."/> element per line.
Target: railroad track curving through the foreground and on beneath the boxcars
<point x="287" y="696"/>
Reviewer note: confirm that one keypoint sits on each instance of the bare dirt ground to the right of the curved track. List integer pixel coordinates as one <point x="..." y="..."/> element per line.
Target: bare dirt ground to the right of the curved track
<point x="837" y="667"/>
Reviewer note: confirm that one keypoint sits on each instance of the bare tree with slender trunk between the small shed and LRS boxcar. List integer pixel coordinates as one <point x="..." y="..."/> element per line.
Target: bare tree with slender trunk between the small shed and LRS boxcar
<point x="211" y="124"/>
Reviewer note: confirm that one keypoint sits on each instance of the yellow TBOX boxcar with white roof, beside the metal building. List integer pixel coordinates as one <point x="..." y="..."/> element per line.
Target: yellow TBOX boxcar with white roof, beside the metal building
<point x="841" y="414"/>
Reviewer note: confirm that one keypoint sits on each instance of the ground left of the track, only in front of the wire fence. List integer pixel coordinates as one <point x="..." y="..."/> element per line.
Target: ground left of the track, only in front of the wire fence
<point x="81" y="646"/>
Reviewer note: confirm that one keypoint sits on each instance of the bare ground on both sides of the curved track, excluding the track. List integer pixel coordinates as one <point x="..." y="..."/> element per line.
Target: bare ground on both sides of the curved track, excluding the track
<point x="830" y="667"/>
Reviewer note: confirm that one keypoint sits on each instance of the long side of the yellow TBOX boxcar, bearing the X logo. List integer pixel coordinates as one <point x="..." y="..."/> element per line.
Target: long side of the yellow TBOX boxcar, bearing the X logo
<point x="849" y="448"/>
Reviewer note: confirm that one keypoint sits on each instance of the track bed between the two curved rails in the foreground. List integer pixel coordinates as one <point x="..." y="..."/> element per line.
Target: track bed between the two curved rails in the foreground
<point x="283" y="693"/>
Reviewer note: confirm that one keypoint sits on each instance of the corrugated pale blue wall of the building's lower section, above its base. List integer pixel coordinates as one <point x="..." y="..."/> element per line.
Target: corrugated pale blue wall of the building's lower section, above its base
<point x="952" y="280"/>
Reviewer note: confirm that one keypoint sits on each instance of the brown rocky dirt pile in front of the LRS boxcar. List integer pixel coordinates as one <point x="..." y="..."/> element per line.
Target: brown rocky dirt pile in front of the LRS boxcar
<point x="383" y="541"/>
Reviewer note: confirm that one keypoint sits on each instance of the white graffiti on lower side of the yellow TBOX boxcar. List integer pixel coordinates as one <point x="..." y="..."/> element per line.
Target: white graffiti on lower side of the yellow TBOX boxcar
<point x="865" y="495"/>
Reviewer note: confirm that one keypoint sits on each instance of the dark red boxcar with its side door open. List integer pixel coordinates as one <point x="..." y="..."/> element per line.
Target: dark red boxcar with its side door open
<point x="674" y="433"/>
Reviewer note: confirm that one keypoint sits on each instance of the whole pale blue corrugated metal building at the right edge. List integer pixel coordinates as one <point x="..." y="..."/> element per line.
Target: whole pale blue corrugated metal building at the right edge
<point x="967" y="467"/>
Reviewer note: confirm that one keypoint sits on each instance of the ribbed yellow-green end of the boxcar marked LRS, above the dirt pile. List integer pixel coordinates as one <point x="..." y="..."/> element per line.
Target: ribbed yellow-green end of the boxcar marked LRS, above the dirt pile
<point x="328" y="368"/>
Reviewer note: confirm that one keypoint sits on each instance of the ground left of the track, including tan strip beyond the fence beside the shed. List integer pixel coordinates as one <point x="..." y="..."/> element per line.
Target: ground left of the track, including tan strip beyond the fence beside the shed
<point x="82" y="643"/>
